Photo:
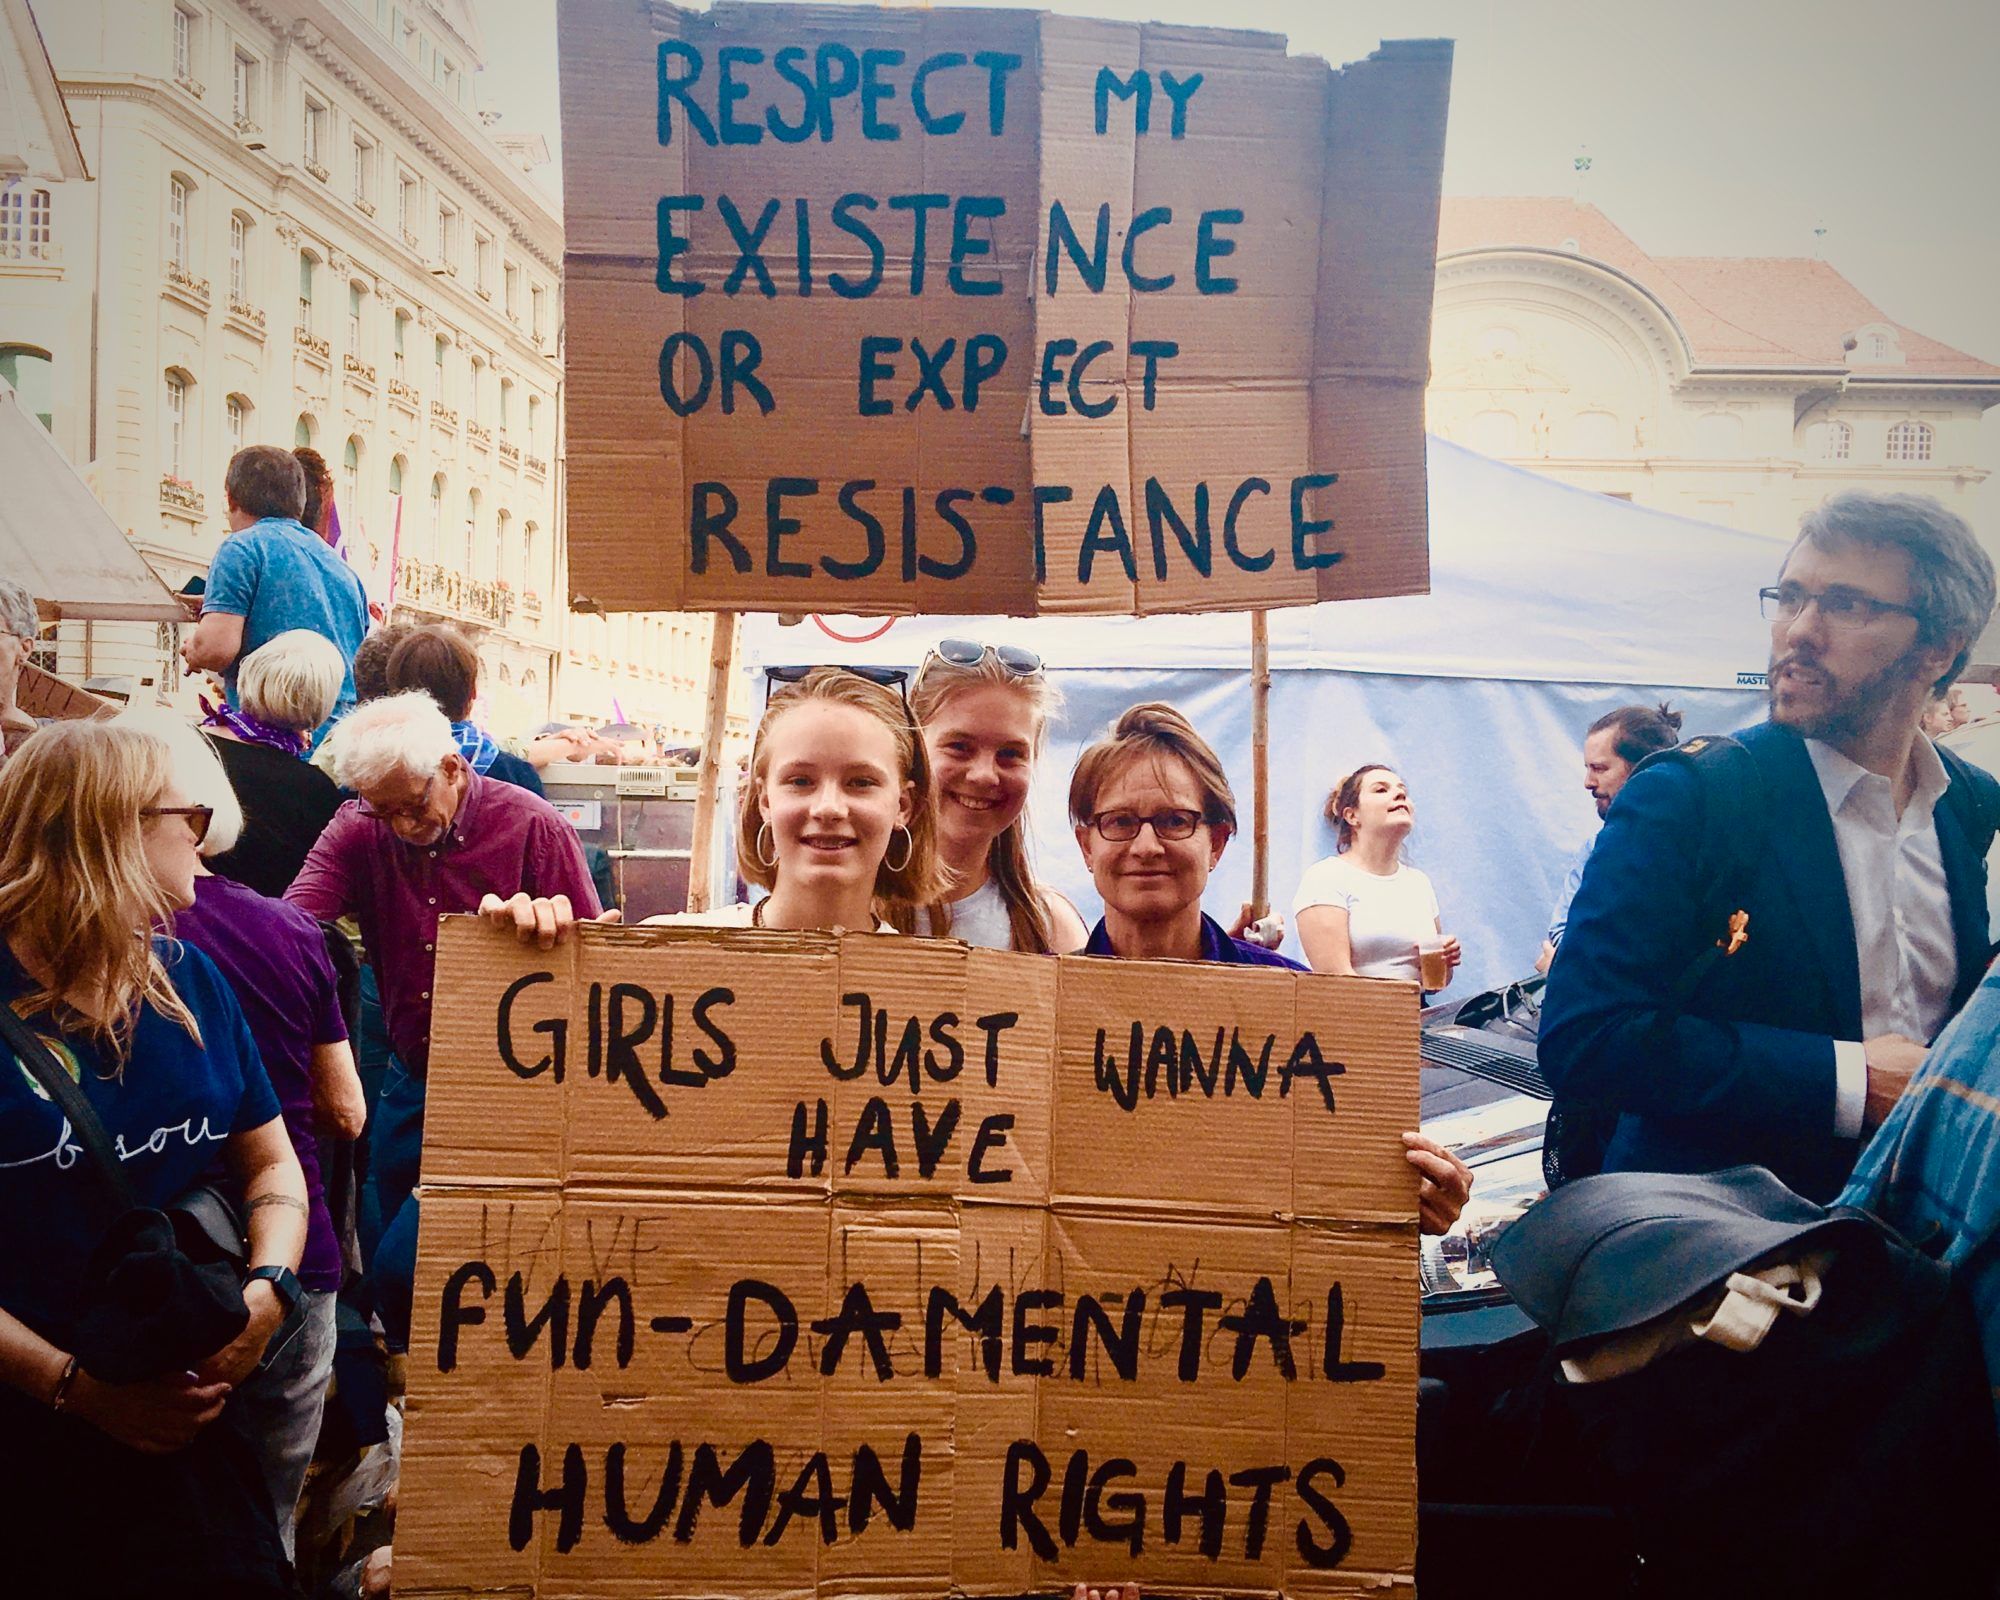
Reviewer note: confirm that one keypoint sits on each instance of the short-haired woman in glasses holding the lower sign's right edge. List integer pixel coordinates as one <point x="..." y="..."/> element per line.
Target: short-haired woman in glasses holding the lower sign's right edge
<point x="1153" y="815"/>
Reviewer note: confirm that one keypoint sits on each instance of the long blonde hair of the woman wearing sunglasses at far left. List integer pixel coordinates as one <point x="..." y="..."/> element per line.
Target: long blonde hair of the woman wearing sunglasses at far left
<point x="77" y="891"/>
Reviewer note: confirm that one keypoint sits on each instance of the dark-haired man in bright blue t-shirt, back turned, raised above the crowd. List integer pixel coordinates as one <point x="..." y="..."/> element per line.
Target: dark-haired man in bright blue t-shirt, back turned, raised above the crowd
<point x="273" y="575"/>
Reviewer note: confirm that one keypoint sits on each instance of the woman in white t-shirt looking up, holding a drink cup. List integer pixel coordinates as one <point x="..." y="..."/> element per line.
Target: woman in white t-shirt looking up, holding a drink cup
<point x="1363" y="911"/>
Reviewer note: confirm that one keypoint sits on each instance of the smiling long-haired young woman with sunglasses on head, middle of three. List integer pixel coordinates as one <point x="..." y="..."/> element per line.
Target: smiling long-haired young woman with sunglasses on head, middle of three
<point x="985" y="715"/>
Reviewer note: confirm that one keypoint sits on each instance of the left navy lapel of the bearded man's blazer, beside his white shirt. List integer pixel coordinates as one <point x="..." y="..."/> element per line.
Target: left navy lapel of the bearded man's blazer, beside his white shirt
<point x="1801" y="841"/>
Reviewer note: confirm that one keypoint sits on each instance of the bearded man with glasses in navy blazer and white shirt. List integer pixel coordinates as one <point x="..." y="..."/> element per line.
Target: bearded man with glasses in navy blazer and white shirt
<point x="1853" y="895"/>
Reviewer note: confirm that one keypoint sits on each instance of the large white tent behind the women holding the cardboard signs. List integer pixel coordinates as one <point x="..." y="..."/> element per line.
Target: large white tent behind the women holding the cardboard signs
<point x="1549" y="607"/>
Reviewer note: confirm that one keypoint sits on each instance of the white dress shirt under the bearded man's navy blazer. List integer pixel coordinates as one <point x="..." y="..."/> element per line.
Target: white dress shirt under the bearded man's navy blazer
<point x="1901" y="907"/>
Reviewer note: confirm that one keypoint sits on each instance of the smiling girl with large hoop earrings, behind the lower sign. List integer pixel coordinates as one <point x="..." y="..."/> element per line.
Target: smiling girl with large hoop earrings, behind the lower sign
<point x="837" y="817"/>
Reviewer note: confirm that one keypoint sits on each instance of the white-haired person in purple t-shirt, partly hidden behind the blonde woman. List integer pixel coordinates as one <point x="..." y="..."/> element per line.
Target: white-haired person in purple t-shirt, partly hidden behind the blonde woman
<point x="275" y="959"/>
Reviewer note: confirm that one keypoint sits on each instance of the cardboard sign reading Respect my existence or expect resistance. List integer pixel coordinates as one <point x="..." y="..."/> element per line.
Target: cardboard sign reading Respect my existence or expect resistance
<point x="991" y="311"/>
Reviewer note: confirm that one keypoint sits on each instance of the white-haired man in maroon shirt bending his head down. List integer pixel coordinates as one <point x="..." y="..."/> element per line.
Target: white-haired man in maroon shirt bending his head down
<point x="425" y="839"/>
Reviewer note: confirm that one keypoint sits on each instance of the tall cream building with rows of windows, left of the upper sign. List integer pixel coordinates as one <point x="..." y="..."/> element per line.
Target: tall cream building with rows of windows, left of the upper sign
<point x="305" y="231"/>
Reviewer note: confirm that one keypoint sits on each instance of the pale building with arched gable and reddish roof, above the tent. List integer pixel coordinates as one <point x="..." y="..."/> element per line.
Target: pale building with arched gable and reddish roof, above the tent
<point x="1729" y="391"/>
